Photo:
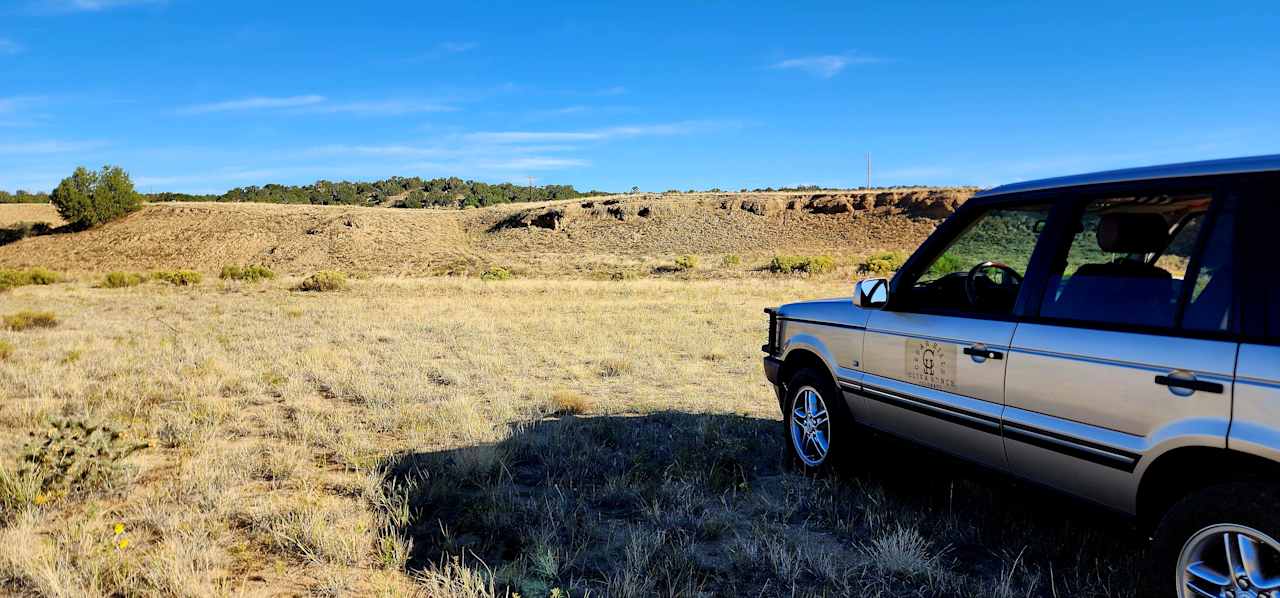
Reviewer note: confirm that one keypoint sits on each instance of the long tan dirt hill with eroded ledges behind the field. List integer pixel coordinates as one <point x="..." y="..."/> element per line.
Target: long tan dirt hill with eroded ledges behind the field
<point x="552" y="238"/>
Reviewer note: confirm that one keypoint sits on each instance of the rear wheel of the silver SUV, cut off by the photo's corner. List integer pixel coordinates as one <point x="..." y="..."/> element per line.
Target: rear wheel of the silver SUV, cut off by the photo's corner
<point x="1201" y="529"/>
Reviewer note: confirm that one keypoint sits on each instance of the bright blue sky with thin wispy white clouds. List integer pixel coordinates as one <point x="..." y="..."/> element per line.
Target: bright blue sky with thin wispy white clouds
<point x="203" y="95"/>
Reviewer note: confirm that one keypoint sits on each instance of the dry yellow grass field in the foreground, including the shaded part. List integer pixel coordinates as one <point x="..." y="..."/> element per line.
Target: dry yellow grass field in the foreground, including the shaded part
<point x="455" y="437"/>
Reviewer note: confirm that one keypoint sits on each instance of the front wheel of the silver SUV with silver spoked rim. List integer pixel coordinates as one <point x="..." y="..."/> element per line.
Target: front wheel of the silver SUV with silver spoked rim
<point x="817" y="424"/>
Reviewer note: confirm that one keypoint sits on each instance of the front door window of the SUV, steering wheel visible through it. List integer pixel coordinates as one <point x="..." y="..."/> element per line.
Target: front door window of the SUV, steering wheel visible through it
<point x="982" y="268"/>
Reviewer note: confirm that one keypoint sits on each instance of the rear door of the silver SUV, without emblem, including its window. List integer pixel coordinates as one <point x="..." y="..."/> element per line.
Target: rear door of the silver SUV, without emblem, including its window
<point x="1133" y="352"/>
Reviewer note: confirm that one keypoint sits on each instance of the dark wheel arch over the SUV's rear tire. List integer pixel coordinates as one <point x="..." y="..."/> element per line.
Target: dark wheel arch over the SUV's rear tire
<point x="1185" y="471"/>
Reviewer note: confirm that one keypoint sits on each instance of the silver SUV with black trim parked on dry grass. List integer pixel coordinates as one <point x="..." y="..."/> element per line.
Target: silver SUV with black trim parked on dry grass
<point x="1114" y="336"/>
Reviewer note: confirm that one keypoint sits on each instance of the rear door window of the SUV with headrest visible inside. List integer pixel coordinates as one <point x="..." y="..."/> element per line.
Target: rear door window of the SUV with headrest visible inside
<point x="1131" y="259"/>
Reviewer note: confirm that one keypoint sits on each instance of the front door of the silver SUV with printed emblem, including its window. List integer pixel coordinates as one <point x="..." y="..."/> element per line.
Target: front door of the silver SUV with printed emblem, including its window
<point x="935" y="357"/>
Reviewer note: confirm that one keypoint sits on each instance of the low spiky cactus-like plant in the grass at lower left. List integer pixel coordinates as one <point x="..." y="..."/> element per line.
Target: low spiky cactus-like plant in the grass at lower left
<point x="75" y="455"/>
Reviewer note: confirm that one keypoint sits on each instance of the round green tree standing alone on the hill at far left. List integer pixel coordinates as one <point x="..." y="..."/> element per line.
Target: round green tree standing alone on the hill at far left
<point x="88" y="199"/>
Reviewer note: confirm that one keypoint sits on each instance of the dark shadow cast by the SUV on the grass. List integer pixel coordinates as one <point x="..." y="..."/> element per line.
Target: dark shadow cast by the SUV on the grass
<point x="705" y="505"/>
